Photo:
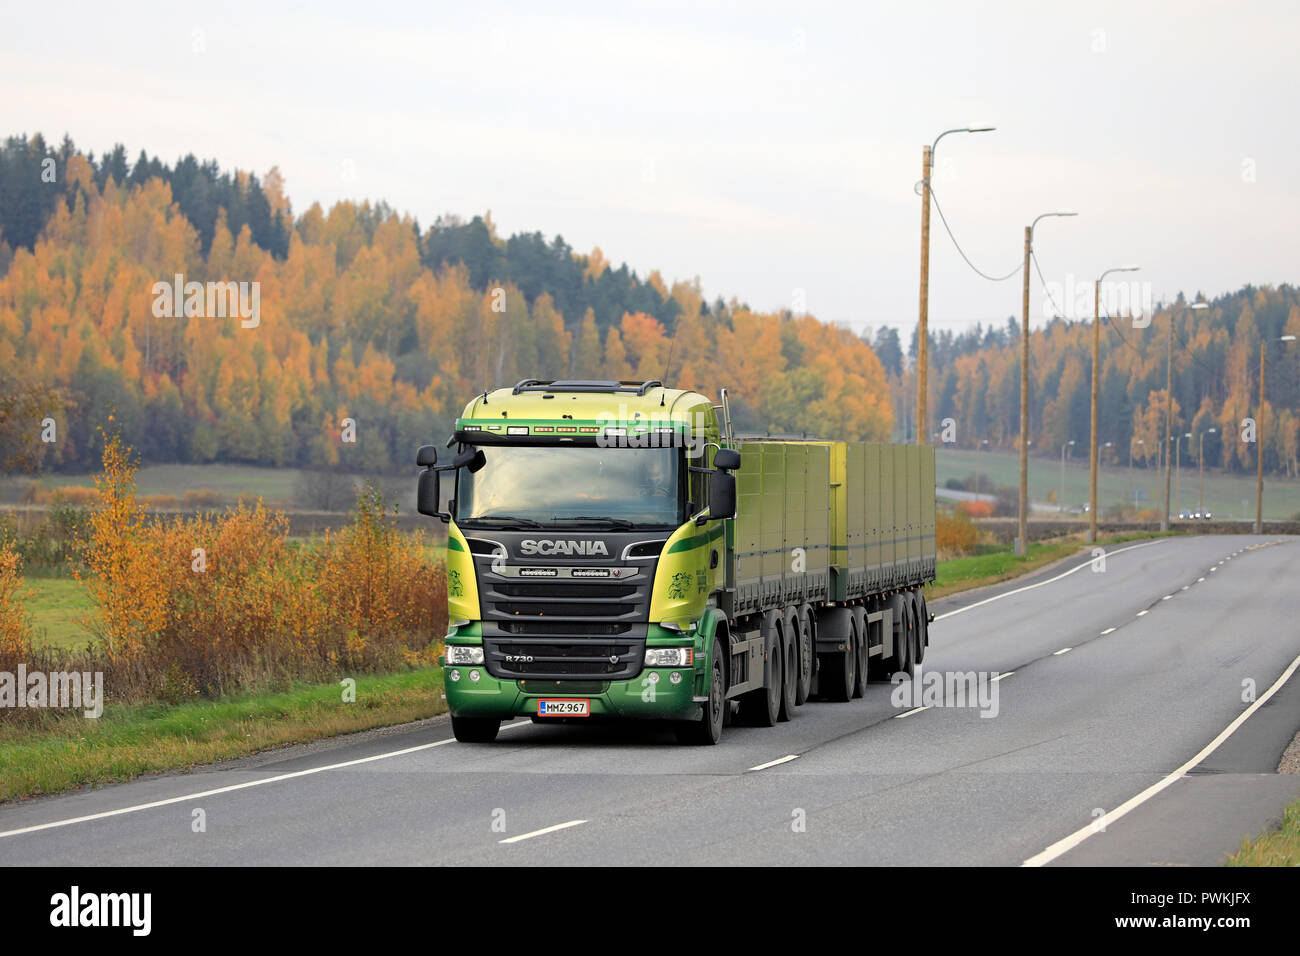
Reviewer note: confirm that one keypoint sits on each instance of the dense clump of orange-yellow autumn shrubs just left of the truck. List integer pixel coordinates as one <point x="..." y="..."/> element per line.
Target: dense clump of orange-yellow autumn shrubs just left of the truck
<point x="219" y="603"/>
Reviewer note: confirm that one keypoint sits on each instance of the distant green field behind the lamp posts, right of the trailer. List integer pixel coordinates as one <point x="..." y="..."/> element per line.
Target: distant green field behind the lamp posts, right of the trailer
<point x="1224" y="492"/>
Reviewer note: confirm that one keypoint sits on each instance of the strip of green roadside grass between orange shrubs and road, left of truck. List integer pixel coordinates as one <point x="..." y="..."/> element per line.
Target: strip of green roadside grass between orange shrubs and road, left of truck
<point x="70" y="751"/>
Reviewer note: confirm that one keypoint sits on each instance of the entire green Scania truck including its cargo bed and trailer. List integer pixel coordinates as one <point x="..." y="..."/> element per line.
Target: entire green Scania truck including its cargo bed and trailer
<point x="614" y="551"/>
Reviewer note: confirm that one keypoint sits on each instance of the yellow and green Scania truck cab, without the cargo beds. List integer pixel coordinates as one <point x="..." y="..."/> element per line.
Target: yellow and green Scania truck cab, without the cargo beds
<point x="587" y="527"/>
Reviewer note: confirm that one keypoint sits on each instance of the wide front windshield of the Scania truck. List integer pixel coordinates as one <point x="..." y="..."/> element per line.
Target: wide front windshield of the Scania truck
<point x="573" y="486"/>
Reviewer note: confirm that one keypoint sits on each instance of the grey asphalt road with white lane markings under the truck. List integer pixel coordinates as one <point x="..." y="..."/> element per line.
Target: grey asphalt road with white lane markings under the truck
<point x="1160" y="646"/>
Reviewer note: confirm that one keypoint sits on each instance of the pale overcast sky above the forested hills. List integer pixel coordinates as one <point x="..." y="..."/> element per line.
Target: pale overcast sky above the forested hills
<point x="765" y="149"/>
